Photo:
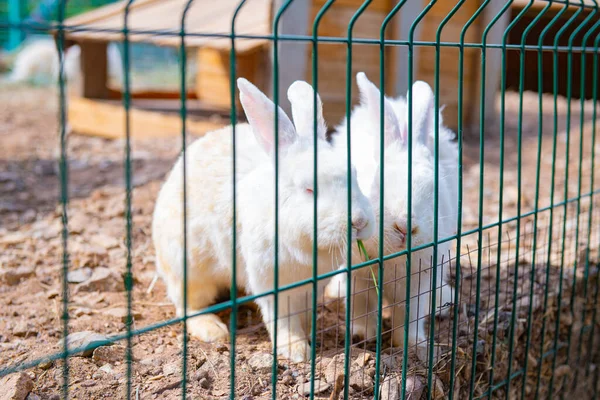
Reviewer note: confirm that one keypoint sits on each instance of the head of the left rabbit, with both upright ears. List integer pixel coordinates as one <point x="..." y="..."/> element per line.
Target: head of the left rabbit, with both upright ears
<point x="296" y="147"/>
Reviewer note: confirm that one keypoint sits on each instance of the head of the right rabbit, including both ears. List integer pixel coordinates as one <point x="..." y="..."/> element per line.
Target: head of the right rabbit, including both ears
<point x="396" y="162"/>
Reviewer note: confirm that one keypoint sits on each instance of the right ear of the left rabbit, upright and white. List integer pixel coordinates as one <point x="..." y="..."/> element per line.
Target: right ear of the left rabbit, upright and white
<point x="301" y="96"/>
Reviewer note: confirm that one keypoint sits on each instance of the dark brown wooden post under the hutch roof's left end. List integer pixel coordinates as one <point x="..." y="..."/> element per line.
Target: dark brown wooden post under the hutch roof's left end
<point x="94" y="70"/>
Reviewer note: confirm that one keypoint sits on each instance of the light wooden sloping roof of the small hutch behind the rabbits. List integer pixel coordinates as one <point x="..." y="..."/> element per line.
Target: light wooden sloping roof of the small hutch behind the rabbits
<point x="206" y="22"/>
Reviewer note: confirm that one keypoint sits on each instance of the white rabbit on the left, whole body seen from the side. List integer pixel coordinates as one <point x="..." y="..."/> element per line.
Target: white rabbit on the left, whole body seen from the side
<point x="210" y="216"/>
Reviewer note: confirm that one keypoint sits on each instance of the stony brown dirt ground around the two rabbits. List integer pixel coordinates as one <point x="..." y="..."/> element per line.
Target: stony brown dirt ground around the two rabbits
<point x="520" y="285"/>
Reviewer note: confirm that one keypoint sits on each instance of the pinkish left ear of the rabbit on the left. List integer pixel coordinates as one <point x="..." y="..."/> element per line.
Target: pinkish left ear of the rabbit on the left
<point x="260" y="112"/>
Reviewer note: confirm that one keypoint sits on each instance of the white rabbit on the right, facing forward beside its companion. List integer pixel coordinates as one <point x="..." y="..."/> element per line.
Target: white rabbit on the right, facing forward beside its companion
<point x="365" y="146"/>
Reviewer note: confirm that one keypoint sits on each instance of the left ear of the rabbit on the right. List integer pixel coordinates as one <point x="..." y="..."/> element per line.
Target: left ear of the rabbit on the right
<point x="371" y="97"/>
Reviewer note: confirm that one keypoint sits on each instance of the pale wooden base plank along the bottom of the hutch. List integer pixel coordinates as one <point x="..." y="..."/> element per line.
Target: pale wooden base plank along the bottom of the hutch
<point x="99" y="118"/>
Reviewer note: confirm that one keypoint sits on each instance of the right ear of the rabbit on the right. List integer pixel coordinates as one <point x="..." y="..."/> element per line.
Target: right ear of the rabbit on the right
<point x="423" y="118"/>
